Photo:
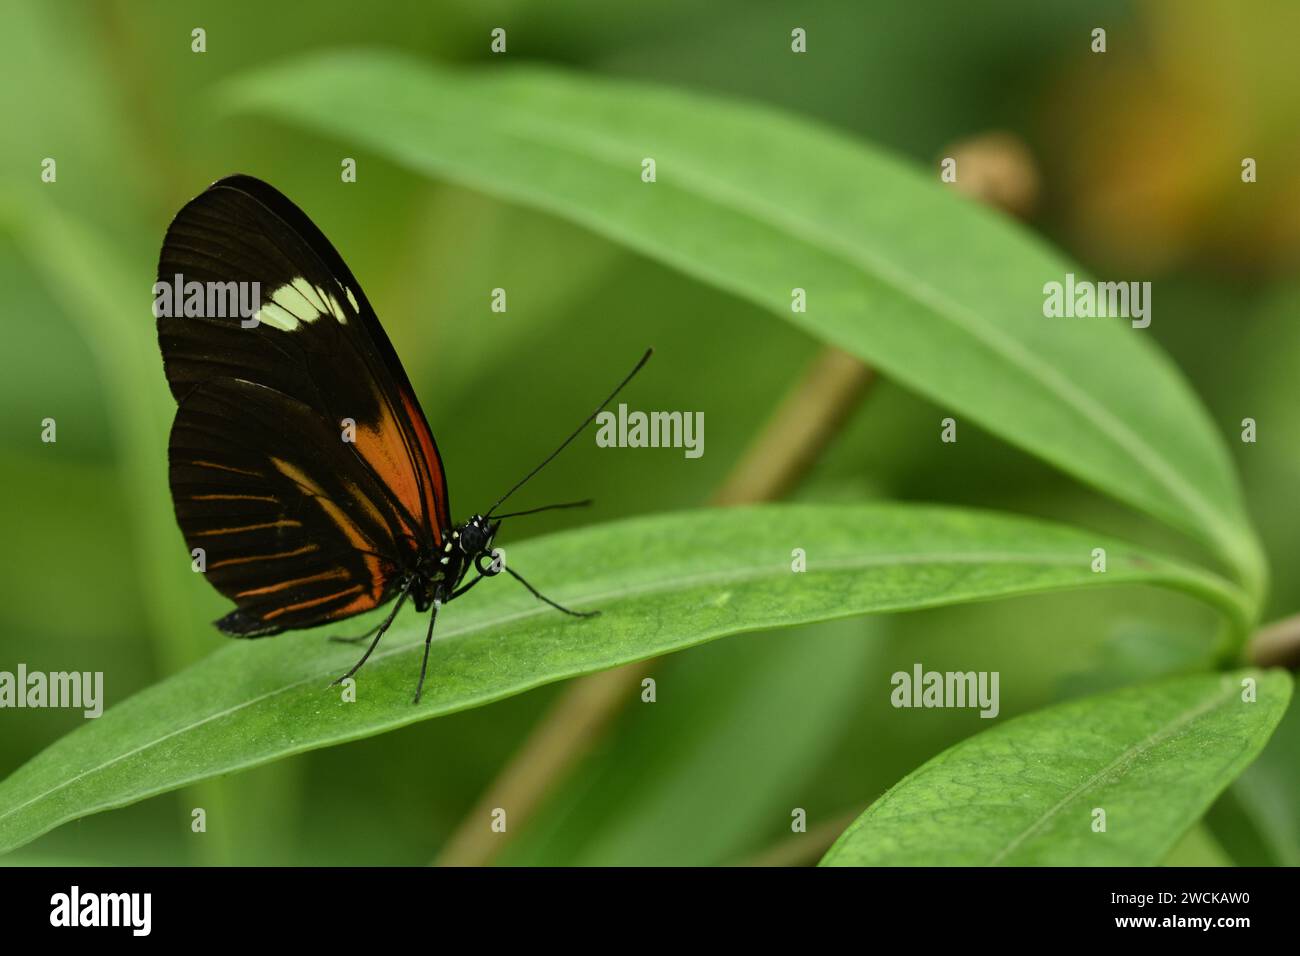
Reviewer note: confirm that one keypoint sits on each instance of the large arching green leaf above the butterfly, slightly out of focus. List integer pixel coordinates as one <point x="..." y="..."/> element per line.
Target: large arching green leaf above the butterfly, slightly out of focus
<point x="935" y="291"/>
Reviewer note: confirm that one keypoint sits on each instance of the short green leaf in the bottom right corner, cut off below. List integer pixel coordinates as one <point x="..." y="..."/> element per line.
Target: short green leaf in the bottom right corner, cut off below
<point x="1024" y="794"/>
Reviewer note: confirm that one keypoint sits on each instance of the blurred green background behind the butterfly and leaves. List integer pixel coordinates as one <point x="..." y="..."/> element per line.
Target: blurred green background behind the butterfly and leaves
<point x="1130" y="163"/>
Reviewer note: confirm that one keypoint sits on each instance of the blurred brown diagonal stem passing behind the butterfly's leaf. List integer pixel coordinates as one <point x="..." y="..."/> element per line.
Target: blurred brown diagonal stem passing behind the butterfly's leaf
<point x="803" y="426"/>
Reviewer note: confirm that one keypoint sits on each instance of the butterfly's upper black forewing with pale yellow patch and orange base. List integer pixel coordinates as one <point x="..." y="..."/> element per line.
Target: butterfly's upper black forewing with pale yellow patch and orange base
<point x="315" y="340"/>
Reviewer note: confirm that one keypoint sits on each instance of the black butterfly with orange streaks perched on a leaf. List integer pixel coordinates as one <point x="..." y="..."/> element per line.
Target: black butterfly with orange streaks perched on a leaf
<point x="302" y="468"/>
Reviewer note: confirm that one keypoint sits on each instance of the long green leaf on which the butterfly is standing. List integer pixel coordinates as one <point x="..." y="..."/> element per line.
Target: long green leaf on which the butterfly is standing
<point x="664" y="583"/>
